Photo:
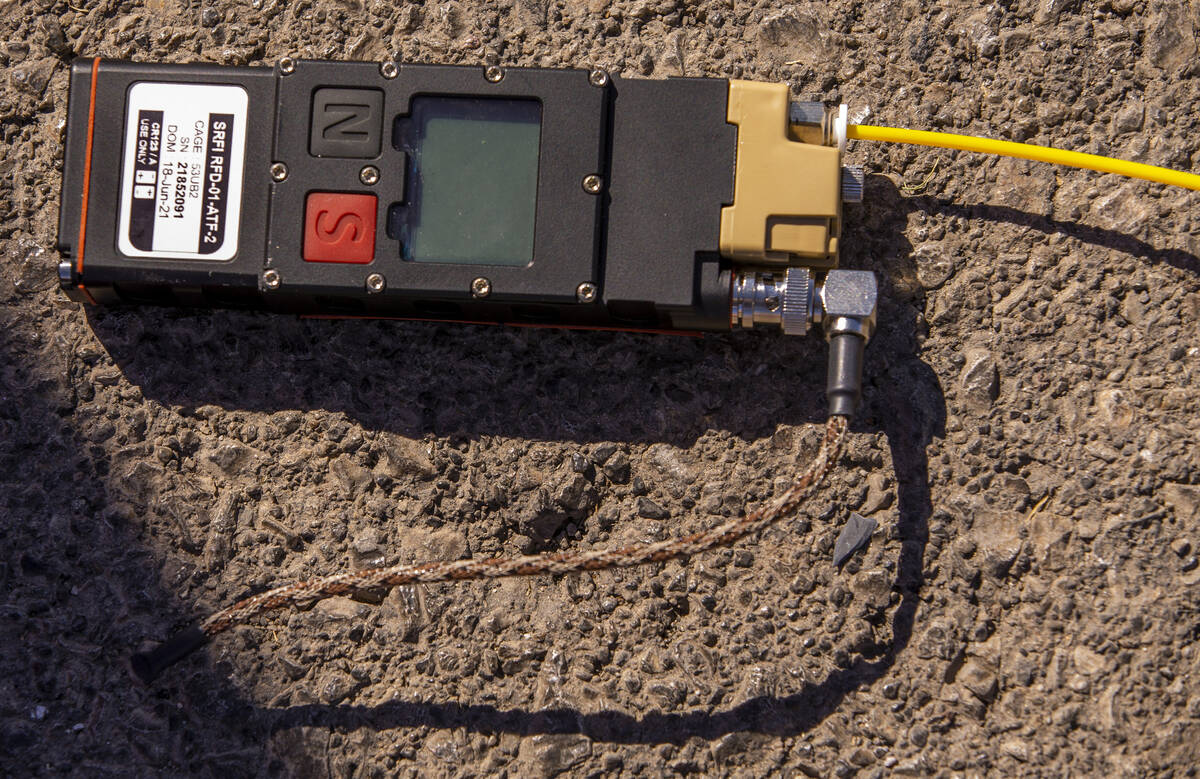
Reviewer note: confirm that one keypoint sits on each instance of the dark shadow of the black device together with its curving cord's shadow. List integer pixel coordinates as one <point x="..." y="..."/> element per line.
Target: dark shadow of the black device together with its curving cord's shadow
<point x="418" y="380"/>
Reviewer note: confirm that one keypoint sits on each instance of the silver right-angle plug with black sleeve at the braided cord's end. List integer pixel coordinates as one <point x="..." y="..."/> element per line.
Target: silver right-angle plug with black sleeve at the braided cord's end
<point x="848" y="307"/>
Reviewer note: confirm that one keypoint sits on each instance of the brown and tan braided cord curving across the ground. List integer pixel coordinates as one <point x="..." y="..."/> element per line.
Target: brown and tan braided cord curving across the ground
<point x="551" y="564"/>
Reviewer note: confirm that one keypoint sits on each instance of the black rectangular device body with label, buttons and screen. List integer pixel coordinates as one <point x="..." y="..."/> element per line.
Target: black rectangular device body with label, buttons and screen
<point x="632" y="177"/>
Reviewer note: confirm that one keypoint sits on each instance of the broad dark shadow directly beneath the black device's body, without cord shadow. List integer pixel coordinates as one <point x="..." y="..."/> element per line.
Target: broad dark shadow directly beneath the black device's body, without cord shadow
<point x="470" y="381"/>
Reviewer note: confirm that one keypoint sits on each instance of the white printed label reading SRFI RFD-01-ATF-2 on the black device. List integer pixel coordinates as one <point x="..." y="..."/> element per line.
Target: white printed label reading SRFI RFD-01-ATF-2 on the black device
<point x="185" y="148"/>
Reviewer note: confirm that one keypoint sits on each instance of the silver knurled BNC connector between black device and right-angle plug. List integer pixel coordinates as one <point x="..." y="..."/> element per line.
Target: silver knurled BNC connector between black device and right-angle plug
<point x="781" y="299"/>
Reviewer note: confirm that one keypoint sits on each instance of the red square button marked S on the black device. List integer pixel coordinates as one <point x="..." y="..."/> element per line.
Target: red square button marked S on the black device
<point x="339" y="229"/>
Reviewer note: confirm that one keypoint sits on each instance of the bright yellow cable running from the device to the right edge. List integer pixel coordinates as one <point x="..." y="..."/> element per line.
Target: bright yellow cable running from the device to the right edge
<point x="1025" y="152"/>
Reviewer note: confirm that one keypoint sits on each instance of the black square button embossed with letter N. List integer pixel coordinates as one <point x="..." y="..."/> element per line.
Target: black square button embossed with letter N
<point x="346" y="123"/>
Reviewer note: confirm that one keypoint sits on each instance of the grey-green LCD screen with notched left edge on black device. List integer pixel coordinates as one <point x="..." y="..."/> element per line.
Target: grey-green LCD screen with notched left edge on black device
<point x="472" y="183"/>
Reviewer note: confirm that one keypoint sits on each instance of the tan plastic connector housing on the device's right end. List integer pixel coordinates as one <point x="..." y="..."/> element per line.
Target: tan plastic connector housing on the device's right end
<point x="787" y="194"/>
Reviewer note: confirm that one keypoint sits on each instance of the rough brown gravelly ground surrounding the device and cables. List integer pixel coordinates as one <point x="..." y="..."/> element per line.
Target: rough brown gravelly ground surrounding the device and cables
<point x="1029" y="442"/>
